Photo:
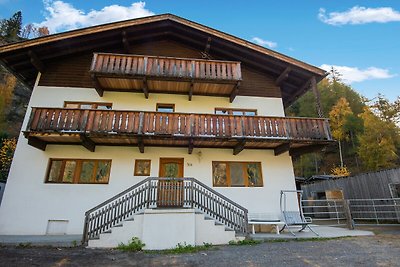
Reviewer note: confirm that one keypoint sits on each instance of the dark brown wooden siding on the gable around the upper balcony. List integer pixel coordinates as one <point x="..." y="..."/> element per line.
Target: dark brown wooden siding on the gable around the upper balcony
<point x="74" y="71"/>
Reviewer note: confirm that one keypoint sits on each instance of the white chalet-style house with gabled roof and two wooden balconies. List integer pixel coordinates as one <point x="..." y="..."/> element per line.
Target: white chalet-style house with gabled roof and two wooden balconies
<point x="159" y="97"/>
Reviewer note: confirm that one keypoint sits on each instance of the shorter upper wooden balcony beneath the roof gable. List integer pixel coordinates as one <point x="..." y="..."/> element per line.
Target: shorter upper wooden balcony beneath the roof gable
<point x="154" y="74"/>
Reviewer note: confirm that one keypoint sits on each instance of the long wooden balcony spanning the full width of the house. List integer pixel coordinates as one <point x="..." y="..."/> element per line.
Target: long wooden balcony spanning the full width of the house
<point x="89" y="127"/>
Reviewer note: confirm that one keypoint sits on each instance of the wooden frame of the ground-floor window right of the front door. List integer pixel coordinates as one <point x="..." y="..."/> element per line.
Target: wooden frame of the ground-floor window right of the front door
<point x="228" y="174"/>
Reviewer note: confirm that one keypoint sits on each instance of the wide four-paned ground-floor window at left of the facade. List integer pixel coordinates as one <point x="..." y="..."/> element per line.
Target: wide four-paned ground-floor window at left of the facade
<point x="78" y="171"/>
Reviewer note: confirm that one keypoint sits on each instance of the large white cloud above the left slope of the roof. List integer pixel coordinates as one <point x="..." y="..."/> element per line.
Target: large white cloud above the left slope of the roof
<point x="61" y="16"/>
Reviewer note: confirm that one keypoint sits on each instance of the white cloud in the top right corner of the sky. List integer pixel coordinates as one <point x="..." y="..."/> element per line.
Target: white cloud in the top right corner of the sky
<point x="359" y="15"/>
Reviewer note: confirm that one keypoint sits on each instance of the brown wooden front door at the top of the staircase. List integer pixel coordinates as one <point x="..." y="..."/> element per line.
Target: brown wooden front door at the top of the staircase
<point x="170" y="192"/>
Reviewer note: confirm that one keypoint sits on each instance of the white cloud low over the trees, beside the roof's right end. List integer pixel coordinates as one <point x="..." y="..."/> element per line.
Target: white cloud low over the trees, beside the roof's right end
<point x="354" y="74"/>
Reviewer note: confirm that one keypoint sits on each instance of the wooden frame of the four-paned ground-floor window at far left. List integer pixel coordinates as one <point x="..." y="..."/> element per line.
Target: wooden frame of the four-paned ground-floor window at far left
<point x="77" y="171"/>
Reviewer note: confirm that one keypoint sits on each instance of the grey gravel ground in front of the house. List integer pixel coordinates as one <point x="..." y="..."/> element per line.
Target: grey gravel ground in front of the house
<point x="382" y="249"/>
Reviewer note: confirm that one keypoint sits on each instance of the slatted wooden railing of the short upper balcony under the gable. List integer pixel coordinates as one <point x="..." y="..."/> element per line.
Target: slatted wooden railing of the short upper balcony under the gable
<point x="156" y="66"/>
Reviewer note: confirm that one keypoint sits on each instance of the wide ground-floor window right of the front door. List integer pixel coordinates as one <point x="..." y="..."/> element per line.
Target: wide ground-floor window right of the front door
<point x="237" y="174"/>
